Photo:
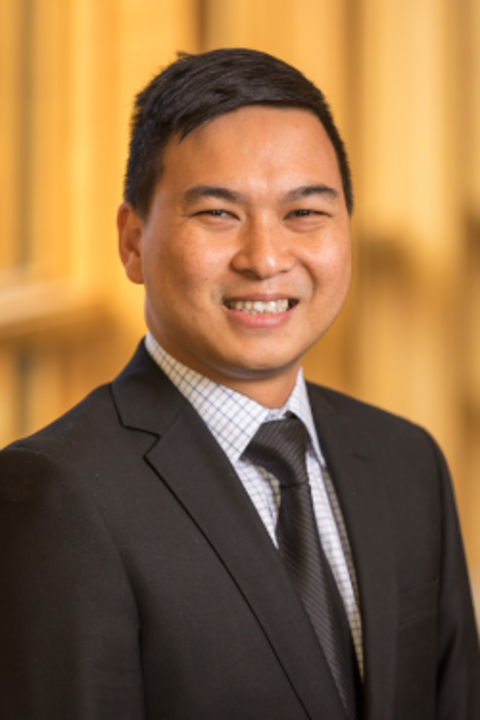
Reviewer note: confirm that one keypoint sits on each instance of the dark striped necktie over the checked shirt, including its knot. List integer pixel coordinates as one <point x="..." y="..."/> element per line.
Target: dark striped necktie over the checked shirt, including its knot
<point x="280" y="447"/>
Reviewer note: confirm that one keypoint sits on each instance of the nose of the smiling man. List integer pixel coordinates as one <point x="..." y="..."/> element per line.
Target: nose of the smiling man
<point x="264" y="250"/>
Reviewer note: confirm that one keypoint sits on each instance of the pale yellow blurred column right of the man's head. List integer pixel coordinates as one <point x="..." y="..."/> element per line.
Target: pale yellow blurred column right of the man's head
<point x="408" y="212"/>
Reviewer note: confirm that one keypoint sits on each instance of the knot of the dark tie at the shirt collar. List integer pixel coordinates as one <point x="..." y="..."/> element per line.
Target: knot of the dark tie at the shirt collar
<point x="279" y="446"/>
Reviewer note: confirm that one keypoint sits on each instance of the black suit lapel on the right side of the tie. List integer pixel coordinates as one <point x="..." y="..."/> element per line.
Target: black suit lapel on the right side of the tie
<point x="365" y="510"/>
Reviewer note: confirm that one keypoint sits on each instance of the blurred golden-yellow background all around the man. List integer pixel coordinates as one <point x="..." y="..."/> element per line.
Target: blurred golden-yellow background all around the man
<point x="403" y="79"/>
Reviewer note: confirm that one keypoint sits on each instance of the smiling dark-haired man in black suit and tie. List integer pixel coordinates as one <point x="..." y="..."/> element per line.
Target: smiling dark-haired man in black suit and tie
<point x="152" y="558"/>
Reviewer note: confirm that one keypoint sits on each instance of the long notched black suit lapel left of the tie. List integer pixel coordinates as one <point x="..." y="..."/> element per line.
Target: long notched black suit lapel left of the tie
<point x="189" y="460"/>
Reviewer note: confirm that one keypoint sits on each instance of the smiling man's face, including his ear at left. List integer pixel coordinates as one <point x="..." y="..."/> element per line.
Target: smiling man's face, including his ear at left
<point x="246" y="253"/>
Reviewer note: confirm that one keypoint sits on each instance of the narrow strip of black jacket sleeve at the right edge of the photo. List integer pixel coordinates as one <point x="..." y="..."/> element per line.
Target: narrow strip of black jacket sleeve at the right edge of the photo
<point x="458" y="663"/>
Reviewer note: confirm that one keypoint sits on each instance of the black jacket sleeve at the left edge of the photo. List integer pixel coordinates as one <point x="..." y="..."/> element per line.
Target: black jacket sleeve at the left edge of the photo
<point x="69" y="639"/>
